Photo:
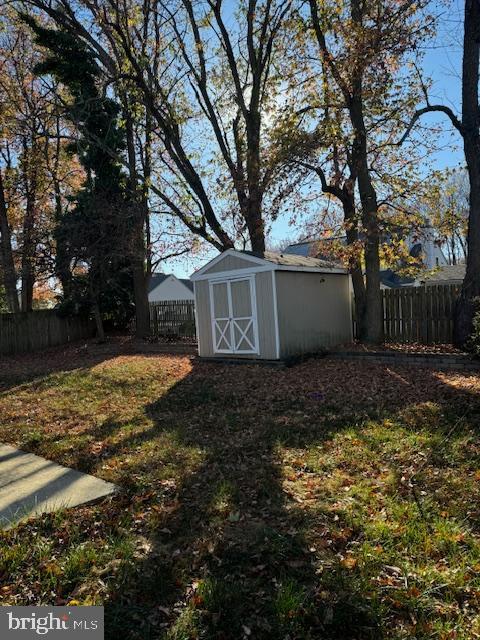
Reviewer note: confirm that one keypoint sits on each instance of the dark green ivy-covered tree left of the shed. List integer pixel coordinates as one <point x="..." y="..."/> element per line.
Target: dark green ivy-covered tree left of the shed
<point x="99" y="229"/>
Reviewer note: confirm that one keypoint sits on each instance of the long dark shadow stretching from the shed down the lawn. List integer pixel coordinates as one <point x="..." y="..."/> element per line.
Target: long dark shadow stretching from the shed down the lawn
<point x="230" y="556"/>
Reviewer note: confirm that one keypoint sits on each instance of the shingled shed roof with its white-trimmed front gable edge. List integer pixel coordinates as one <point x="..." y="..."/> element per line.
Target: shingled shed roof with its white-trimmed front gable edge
<point x="272" y="261"/>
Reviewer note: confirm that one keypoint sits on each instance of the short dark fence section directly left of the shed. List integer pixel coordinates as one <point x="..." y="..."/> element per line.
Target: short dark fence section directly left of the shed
<point x="173" y="318"/>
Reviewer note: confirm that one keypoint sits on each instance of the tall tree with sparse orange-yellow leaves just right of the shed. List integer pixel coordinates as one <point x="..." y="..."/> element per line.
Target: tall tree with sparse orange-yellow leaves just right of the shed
<point x="350" y="116"/>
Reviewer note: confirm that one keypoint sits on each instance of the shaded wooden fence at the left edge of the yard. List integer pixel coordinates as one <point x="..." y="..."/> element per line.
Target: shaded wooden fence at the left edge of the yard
<point x="24" y="332"/>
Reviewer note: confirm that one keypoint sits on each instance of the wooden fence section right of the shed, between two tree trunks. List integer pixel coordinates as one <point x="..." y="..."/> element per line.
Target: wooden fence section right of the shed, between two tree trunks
<point x="419" y="314"/>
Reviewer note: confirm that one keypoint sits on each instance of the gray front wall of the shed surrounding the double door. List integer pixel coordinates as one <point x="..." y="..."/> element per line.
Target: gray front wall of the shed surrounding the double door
<point x="265" y="317"/>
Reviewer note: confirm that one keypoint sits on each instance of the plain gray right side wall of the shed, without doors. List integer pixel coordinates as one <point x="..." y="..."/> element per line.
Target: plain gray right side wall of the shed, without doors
<point x="313" y="311"/>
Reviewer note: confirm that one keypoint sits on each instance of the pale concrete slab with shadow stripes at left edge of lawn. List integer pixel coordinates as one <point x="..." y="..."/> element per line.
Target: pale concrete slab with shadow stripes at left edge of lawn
<point x="30" y="485"/>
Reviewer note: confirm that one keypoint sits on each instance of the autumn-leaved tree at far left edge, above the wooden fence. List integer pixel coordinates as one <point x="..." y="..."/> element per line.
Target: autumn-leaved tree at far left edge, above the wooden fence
<point x="26" y="149"/>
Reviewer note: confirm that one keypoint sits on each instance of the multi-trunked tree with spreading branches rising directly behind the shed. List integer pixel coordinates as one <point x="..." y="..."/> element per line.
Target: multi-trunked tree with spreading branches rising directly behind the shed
<point x="207" y="86"/>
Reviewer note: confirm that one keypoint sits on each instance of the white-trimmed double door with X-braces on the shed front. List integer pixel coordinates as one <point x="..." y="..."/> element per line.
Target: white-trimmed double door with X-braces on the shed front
<point x="234" y="321"/>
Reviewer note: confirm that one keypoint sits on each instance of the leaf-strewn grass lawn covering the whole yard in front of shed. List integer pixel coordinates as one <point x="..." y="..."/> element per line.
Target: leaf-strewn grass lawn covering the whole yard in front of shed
<point x="328" y="500"/>
